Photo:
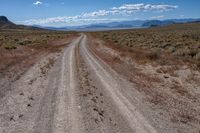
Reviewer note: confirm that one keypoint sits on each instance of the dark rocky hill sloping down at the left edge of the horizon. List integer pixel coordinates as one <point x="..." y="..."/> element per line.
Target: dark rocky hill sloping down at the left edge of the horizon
<point x="7" y="24"/>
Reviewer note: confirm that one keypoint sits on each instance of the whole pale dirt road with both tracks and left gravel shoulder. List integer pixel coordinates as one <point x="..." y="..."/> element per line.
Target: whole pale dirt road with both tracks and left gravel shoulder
<point x="74" y="92"/>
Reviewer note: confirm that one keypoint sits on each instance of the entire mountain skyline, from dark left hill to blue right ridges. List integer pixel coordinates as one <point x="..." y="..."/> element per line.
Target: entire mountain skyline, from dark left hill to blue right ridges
<point x="6" y="24"/>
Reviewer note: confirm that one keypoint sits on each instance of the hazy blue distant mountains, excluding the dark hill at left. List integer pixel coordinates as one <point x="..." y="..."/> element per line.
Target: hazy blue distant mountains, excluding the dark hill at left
<point x="124" y="24"/>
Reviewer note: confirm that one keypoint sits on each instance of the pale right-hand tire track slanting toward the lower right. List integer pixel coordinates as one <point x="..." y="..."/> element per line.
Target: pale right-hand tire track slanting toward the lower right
<point x="134" y="119"/>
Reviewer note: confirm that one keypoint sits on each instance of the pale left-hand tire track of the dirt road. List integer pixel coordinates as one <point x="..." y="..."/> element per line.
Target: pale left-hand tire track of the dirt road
<point x="67" y="118"/>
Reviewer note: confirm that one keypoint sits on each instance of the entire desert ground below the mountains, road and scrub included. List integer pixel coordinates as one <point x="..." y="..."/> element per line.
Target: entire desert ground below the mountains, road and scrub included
<point x="114" y="81"/>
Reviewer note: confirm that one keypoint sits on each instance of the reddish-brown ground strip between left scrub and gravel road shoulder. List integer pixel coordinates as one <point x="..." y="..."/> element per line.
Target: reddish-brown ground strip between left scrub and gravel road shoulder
<point x="15" y="62"/>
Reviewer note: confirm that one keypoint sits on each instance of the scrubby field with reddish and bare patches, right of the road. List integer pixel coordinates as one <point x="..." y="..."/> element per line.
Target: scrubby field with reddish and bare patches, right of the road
<point x="163" y="64"/>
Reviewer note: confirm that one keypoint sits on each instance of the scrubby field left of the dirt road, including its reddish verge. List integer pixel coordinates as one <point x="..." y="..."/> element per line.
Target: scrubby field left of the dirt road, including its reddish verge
<point x="20" y="49"/>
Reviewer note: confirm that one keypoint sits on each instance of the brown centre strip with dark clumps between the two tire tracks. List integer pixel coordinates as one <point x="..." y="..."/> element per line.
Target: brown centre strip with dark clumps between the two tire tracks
<point x="99" y="114"/>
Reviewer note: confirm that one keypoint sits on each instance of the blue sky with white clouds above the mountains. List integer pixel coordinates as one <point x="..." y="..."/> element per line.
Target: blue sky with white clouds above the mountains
<point x="60" y="13"/>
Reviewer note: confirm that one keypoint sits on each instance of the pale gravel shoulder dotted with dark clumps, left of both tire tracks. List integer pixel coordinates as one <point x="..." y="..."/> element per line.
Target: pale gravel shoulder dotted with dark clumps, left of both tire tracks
<point x="19" y="107"/>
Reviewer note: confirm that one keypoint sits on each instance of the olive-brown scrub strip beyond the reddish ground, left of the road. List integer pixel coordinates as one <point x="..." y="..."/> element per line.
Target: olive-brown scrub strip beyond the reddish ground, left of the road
<point x="12" y="39"/>
